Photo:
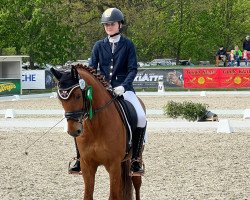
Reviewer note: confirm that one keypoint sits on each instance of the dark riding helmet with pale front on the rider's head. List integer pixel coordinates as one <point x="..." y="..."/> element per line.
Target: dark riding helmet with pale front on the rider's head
<point x="112" y="15"/>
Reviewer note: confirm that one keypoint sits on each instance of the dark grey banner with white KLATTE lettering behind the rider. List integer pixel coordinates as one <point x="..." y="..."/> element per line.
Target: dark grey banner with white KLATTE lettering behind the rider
<point x="149" y="78"/>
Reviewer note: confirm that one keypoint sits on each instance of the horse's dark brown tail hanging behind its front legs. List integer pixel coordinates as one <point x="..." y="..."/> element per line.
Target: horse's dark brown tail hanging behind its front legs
<point x="126" y="181"/>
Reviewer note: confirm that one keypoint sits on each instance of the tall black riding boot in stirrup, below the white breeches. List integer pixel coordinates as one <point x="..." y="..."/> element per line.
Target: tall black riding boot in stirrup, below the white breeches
<point x="137" y="142"/>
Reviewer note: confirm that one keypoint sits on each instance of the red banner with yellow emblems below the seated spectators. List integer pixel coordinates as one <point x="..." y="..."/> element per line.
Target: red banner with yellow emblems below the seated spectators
<point x="229" y="77"/>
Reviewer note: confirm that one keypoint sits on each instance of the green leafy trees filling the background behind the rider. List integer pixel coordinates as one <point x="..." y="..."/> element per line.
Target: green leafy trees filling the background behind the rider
<point x="54" y="31"/>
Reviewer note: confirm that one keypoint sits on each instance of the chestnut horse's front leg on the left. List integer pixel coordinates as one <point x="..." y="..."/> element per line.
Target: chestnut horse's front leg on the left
<point x="88" y="173"/>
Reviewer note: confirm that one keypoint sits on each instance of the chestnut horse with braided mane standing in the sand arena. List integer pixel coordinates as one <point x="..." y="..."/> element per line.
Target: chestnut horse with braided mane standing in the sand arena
<point x="94" y="121"/>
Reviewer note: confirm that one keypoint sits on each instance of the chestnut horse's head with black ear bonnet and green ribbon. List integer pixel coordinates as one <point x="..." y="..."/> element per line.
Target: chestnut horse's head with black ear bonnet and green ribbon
<point x="75" y="97"/>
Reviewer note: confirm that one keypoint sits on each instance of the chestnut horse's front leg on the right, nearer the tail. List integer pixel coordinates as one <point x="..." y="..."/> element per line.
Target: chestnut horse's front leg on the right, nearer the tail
<point x="114" y="171"/>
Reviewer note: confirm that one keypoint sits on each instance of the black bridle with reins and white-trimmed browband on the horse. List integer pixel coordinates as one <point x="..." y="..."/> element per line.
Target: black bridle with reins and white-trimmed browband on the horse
<point x="86" y="112"/>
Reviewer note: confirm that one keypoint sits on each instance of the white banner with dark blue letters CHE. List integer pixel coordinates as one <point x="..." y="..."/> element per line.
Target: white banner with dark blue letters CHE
<point x="33" y="79"/>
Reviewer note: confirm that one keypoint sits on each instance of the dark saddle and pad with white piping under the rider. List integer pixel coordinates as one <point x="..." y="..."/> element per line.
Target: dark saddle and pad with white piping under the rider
<point x="129" y="118"/>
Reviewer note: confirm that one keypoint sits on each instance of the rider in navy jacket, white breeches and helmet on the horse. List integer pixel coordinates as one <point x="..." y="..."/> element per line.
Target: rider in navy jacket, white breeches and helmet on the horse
<point x="115" y="56"/>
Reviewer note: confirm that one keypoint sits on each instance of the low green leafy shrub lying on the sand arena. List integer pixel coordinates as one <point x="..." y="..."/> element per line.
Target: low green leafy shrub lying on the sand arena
<point x="187" y="110"/>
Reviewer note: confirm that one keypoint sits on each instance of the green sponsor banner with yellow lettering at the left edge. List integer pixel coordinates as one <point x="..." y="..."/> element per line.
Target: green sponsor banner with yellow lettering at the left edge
<point x="10" y="86"/>
